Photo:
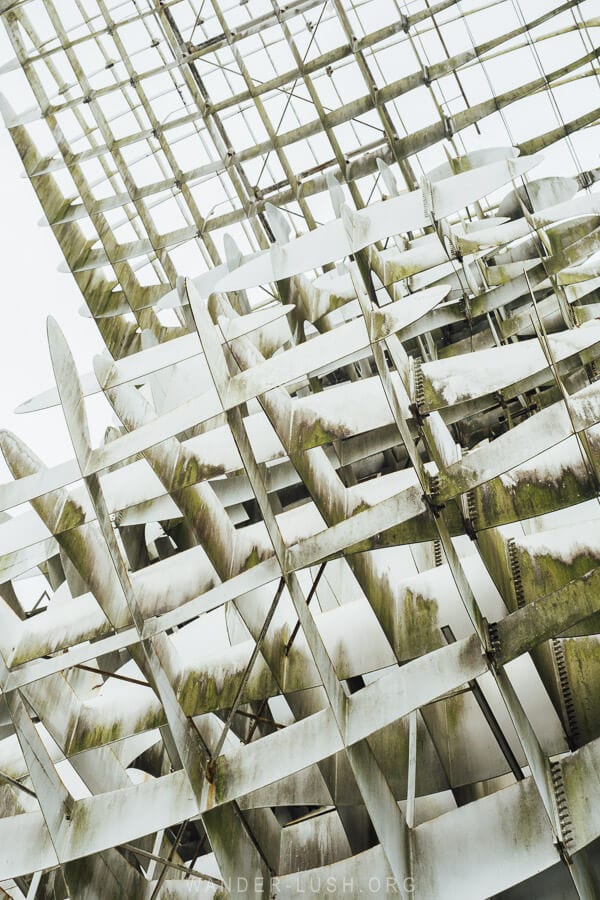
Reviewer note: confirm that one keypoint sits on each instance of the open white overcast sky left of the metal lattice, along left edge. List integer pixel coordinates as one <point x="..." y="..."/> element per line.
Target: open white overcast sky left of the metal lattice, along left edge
<point x="32" y="289"/>
